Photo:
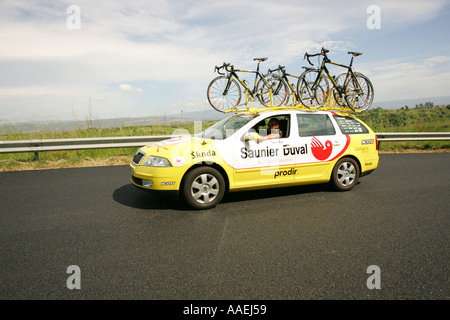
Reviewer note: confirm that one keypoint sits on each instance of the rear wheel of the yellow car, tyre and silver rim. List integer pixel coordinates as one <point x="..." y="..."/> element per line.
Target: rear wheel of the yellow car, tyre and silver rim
<point x="345" y="174"/>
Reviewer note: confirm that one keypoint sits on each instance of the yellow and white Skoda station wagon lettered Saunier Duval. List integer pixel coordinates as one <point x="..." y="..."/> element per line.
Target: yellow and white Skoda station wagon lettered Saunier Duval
<point x="242" y="152"/>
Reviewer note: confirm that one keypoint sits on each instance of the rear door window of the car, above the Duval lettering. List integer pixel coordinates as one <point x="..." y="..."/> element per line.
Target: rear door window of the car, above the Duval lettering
<point x="314" y="125"/>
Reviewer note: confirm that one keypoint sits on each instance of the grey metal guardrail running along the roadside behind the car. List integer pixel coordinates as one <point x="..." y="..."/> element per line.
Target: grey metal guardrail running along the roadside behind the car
<point x="36" y="145"/>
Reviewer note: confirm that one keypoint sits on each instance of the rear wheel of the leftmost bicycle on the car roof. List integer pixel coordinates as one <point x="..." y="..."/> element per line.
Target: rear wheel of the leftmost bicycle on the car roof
<point x="274" y="85"/>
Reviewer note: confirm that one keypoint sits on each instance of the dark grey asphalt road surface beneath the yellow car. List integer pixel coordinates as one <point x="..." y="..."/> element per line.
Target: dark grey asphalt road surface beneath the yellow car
<point x="295" y="243"/>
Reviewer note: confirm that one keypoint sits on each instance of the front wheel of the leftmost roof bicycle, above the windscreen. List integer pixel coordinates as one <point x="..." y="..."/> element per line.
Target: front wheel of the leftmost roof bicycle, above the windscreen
<point x="221" y="98"/>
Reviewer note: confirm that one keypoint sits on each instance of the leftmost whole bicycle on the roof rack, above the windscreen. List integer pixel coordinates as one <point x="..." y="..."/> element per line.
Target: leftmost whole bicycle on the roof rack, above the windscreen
<point x="224" y="92"/>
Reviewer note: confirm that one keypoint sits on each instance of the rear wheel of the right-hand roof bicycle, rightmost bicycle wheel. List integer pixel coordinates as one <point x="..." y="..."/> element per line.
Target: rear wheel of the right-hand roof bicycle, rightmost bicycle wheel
<point x="359" y="93"/>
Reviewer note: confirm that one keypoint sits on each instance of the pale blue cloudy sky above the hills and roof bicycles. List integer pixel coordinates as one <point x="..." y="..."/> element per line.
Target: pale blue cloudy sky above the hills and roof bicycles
<point x="78" y="60"/>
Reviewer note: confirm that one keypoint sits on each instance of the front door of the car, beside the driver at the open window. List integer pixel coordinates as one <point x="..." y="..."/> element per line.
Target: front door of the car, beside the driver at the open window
<point x="260" y="163"/>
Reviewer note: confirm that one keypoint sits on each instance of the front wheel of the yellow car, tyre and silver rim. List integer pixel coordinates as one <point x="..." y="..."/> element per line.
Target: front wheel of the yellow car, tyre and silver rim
<point x="203" y="188"/>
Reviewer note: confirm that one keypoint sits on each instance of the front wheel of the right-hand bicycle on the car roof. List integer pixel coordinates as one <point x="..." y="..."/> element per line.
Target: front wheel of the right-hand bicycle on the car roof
<point x="309" y="96"/>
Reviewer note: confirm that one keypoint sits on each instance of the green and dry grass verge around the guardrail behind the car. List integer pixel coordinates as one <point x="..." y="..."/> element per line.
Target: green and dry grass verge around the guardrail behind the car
<point x="433" y="119"/>
